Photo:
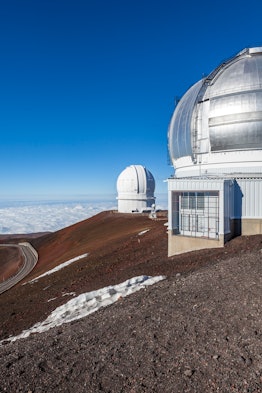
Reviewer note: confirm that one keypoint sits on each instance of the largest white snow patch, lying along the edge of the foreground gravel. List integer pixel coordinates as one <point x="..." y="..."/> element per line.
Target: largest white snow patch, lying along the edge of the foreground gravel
<point x="87" y="303"/>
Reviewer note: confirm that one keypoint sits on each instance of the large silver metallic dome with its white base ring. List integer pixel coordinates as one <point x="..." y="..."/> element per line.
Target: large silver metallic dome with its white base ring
<point x="216" y="127"/>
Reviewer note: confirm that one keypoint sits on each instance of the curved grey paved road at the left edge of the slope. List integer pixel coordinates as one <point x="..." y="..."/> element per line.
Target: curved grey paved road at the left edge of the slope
<point x="30" y="257"/>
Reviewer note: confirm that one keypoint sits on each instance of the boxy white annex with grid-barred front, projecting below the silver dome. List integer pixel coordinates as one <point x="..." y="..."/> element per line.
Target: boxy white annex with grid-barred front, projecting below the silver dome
<point x="200" y="213"/>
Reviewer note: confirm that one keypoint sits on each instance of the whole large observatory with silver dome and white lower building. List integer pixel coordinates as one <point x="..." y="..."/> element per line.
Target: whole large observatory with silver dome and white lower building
<point x="215" y="144"/>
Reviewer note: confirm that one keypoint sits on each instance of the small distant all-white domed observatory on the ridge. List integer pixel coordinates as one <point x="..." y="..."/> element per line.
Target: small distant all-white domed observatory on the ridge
<point x="135" y="187"/>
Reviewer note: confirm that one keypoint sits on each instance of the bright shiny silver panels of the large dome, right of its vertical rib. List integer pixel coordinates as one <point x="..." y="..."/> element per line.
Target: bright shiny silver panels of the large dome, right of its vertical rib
<point x="235" y="115"/>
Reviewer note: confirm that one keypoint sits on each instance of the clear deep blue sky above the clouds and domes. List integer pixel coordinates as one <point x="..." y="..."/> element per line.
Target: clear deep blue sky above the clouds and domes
<point x="88" y="87"/>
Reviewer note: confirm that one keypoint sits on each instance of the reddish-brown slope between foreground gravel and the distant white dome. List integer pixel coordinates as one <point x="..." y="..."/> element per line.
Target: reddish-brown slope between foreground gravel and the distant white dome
<point x="117" y="251"/>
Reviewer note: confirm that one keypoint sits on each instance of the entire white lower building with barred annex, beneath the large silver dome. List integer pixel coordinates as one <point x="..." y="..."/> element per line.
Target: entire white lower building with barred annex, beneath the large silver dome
<point x="205" y="213"/>
